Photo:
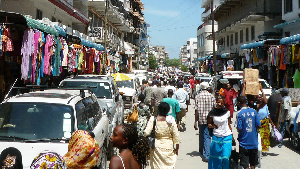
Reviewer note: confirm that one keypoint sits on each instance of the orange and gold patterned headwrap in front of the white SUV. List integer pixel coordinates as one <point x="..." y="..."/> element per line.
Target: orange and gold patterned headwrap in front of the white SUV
<point x="83" y="150"/>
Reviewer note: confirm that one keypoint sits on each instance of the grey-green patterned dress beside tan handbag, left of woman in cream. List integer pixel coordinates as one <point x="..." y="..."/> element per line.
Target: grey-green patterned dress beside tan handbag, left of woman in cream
<point x="144" y="115"/>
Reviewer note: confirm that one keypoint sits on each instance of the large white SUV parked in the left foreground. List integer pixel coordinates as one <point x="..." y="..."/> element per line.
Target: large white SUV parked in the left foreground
<point x="44" y="120"/>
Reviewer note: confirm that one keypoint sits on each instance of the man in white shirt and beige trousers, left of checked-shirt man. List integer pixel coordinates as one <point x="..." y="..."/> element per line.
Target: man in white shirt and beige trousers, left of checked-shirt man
<point x="182" y="97"/>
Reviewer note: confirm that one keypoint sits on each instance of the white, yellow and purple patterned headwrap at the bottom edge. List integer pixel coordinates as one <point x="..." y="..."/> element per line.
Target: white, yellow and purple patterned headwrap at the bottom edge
<point x="48" y="159"/>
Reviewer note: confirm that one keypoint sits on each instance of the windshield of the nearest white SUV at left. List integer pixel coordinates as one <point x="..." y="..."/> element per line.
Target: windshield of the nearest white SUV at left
<point x="33" y="121"/>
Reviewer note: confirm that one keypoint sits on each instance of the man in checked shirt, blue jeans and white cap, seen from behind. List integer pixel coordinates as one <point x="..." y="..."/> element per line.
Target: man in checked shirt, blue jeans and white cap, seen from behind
<point x="204" y="102"/>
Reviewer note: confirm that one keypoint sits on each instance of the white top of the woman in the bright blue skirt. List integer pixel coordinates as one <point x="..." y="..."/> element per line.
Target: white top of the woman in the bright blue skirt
<point x="223" y="129"/>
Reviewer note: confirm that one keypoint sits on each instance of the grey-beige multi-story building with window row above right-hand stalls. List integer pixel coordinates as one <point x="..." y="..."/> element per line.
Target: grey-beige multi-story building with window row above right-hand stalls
<point x="241" y="22"/>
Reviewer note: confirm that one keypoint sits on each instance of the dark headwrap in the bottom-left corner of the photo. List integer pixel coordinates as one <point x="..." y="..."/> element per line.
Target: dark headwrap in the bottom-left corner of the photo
<point x="11" y="158"/>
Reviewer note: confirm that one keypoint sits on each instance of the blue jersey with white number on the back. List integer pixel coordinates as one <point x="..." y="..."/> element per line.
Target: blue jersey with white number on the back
<point x="248" y="121"/>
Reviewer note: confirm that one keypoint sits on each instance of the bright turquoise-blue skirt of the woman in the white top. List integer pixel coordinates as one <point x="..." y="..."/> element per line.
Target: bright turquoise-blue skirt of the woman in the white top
<point x="220" y="151"/>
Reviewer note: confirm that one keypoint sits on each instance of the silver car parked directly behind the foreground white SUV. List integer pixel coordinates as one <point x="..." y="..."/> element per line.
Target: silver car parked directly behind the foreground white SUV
<point x="106" y="90"/>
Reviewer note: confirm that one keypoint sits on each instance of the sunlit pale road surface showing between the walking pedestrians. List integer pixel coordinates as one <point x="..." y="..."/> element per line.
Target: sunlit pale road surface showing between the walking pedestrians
<point x="189" y="157"/>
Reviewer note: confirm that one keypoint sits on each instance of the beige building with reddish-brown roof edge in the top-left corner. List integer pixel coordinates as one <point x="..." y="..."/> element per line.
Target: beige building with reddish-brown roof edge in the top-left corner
<point x="62" y="11"/>
